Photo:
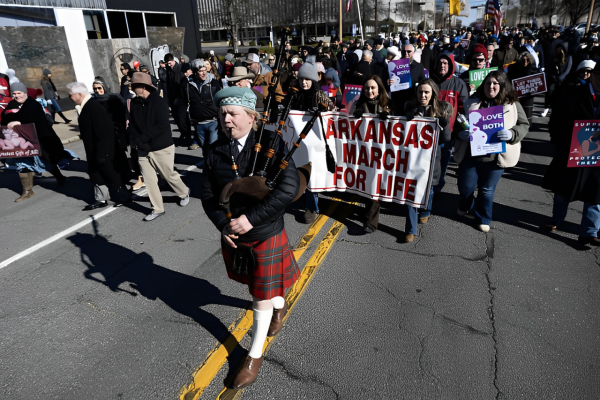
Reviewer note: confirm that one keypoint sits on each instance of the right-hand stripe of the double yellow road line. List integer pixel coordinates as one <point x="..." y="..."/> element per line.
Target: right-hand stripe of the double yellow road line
<point x="298" y="289"/>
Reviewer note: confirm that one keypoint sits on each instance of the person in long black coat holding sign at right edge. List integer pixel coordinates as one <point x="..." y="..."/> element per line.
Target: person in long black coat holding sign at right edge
<point x="581" y="183"/>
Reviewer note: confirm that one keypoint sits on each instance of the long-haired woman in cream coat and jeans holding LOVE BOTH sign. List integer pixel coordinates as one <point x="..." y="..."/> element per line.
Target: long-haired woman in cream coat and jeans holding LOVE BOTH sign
<point x="484" y="172"/>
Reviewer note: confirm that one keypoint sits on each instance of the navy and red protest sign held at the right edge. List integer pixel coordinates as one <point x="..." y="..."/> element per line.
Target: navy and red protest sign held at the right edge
<point x="585" y="144"/>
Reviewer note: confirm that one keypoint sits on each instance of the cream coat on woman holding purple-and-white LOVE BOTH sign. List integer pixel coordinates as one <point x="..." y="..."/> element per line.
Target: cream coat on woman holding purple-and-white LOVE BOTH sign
<point x="515" y="120"/>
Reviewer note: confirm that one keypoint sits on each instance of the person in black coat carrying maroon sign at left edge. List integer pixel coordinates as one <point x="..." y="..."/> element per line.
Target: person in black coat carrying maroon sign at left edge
<point x="25" y="110"/>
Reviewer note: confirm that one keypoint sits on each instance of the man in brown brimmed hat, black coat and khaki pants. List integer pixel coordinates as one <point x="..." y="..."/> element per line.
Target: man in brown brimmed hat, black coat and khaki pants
<point x="150" y="132"/>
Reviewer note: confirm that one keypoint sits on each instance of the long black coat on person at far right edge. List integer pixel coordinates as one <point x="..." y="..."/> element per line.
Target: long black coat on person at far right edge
<point x="581" y="183"/>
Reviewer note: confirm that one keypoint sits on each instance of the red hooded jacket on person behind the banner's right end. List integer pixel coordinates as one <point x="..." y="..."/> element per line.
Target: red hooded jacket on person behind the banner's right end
<point x="452" y="89"/>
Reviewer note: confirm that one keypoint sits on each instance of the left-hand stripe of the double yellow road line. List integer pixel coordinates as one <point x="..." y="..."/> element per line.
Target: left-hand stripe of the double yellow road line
<point x="205" y="373"/>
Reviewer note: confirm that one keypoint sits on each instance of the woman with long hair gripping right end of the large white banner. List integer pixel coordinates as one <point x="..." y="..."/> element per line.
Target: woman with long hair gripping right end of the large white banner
<point x="427" y="104"/>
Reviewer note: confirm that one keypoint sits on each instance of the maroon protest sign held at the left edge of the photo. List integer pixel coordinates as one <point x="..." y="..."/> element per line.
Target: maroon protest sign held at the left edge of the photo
<point x="20" y="141"/>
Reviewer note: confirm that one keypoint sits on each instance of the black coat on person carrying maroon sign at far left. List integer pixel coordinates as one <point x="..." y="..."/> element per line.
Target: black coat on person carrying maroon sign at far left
<point x="31" y="112"/>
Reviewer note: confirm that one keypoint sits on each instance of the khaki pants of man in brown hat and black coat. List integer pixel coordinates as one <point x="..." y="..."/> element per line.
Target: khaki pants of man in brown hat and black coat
<point x="161" y="161"/>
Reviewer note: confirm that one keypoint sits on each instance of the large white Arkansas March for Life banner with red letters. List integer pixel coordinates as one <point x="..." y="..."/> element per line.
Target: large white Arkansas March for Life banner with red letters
<point x="388" y="160"/>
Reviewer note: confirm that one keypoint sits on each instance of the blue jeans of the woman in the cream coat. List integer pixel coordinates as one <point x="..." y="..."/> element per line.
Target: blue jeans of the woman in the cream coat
<point x="484" y="176"/>
